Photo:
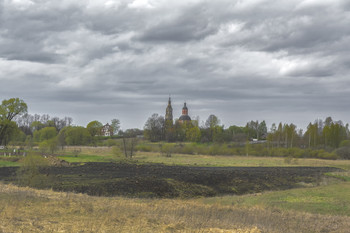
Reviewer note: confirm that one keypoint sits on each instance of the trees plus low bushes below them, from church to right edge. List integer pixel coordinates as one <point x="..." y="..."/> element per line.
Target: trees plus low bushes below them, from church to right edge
<point x="326" y="139"/>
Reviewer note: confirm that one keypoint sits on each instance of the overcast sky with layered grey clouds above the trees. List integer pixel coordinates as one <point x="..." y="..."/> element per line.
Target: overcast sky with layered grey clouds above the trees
<point x="241" y="60"/>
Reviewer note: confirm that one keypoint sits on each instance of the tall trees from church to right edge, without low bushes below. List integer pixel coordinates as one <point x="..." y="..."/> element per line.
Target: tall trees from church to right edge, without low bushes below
<point x="320" y="134"/>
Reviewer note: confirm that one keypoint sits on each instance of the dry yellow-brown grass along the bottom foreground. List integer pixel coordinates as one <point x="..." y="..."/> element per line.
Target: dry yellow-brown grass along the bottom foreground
<point x="29" y="210"/>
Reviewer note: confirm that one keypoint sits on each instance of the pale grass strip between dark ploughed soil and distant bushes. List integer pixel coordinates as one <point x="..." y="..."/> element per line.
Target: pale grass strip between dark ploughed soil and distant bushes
<point x="105" y="154"/>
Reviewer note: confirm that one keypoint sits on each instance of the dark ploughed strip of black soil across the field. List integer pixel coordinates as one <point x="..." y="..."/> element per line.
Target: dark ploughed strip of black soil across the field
<point x="155" y="180"/>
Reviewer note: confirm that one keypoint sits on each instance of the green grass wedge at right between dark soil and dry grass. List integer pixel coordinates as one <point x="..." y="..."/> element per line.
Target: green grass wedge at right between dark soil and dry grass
<point x="332" y="199"/>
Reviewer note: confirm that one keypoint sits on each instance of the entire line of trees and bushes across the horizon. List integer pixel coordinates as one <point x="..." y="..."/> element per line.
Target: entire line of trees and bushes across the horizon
<point x="322" y="139"/>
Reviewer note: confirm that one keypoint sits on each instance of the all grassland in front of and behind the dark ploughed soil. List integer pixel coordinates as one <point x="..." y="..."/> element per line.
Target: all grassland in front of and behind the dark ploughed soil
<point x="324" y="208"/>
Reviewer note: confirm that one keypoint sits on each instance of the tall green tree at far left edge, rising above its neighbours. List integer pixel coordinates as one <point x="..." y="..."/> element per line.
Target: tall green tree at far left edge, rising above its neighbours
<point x="8" y="110"/>
